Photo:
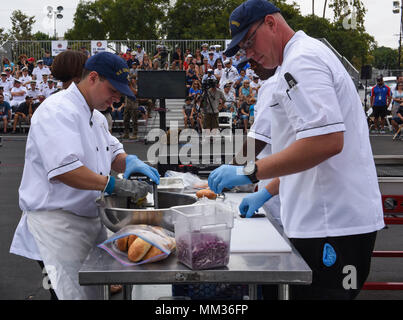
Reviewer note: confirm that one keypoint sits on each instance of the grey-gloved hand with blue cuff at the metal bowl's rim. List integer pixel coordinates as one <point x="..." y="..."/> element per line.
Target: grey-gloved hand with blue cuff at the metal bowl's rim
<point x="128" y="188"/>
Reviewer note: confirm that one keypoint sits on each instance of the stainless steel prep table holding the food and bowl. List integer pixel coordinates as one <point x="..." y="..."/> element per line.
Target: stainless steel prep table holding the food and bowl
<point x="283" y="269"/>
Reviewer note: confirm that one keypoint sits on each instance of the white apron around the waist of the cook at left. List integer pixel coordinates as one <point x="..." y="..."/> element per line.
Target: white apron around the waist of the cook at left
<point x="64" y="241"/>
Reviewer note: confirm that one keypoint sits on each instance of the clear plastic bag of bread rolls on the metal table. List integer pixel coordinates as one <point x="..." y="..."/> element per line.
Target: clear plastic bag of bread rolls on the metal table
<point x="139" y="244"/>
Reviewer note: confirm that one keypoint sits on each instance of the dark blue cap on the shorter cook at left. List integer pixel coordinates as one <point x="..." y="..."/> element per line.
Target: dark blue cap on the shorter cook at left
<point x="113" y="68"/>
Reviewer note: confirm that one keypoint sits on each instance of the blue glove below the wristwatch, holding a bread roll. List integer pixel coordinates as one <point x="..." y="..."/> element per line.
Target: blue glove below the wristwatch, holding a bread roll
<point x="227" y="176"/>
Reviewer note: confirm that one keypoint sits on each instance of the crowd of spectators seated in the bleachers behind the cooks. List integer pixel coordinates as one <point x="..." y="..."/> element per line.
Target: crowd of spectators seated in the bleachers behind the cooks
<point x="27" y="82"/>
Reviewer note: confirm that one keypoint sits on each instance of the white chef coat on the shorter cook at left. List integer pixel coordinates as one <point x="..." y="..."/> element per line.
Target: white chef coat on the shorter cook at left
<point x="62" y="139"/>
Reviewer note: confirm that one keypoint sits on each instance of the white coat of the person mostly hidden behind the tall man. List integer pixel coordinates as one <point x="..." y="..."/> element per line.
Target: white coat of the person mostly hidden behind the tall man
<point x="261" y="130"/>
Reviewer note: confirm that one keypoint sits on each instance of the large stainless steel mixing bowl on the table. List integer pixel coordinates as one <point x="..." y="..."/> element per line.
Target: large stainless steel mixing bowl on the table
<point x="115" y="214"/>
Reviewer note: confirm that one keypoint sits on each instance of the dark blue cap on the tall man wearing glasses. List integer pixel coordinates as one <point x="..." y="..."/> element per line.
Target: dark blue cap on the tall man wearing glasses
<point x="243" y="17"/>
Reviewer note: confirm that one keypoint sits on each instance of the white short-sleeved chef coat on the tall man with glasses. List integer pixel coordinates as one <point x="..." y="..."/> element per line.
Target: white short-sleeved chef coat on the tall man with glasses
<point x="340" y="196"/>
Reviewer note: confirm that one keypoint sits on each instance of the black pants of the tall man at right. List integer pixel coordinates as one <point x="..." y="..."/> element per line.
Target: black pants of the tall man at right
<point x="341" y="281"/>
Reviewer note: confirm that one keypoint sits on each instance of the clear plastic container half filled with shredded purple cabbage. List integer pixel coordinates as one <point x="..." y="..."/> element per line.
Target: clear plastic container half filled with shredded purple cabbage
<point x="203" y="235"/>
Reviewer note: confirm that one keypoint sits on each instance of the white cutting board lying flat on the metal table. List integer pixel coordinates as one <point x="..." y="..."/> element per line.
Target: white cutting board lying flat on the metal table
<point x="256" y="235"/>
